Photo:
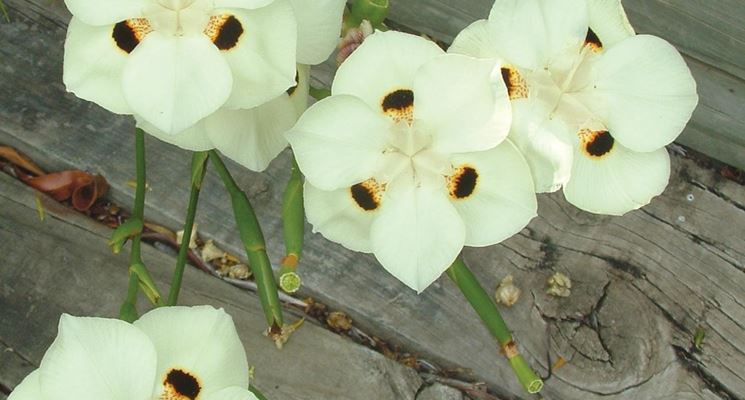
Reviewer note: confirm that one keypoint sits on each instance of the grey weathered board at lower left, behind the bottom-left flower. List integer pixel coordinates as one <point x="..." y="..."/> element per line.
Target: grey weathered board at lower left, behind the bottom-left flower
<point x="61" y="265"/>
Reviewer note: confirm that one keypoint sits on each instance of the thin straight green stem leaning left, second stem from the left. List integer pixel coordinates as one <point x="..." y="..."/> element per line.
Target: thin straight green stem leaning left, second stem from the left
<point x="191" y="212"/>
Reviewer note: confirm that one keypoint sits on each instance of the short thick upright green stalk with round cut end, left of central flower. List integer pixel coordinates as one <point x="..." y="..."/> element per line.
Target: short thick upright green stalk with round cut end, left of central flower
<point x="293" y="219"/>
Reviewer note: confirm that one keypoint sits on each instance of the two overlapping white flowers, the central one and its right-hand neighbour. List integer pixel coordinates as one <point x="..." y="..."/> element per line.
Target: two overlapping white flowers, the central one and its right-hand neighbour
<point x="410" y="159"/>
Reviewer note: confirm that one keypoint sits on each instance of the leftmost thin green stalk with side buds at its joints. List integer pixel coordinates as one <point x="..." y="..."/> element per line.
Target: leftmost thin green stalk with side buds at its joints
<point x="138" y="274"/>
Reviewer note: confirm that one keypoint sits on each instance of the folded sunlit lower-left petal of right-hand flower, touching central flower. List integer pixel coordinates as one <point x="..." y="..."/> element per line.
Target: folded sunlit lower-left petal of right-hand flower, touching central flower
<point x="544" y="144"/>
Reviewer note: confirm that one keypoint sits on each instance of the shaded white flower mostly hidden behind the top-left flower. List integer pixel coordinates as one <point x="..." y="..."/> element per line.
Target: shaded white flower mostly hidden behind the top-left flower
<point x="254" y="137"/>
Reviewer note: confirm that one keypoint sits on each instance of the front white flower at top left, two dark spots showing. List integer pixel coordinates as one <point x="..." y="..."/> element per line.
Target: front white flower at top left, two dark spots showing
<point x="174" y="62"/>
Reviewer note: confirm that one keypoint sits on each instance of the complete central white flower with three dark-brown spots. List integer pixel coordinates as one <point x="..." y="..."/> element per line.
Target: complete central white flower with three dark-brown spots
<point x="408" y="158"/>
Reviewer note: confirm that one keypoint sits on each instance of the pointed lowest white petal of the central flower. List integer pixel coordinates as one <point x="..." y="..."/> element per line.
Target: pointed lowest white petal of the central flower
<point x="418" y="233"/>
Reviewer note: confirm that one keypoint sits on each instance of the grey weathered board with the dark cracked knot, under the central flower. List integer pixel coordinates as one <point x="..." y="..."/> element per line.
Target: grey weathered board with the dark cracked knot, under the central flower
<point x="644" y="282"/>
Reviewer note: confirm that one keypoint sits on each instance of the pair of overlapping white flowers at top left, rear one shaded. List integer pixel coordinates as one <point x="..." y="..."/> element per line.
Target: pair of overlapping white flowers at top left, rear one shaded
<point x="202" y="74"/>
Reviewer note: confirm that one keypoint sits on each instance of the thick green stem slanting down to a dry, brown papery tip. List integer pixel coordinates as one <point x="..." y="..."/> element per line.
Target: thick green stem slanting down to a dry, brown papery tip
<point x="253" y="241"/>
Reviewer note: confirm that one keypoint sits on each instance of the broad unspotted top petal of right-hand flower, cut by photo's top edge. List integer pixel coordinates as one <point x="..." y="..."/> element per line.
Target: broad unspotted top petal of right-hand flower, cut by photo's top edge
<point x="530" y="33"/>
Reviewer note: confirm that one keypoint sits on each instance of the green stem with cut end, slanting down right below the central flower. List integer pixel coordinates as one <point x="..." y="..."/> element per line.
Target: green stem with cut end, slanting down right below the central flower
<point x="487" y="310"/>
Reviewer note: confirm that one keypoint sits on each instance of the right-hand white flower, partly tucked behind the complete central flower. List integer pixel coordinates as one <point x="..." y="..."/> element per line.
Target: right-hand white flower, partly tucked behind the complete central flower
<point x="594" y="104"/>
